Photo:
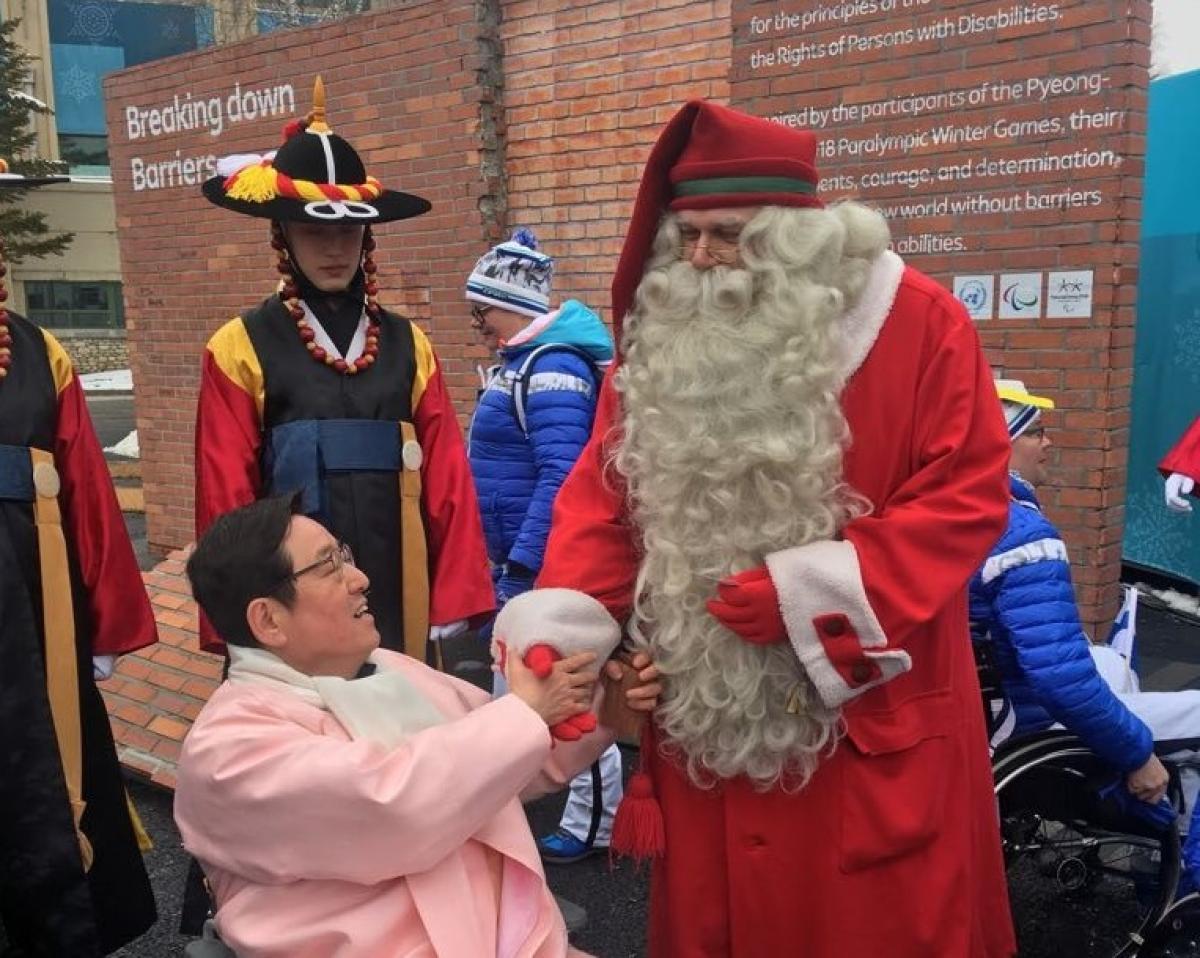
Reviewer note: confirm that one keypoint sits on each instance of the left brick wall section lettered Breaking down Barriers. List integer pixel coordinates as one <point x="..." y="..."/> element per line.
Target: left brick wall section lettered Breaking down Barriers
<point x="410" y="88"/>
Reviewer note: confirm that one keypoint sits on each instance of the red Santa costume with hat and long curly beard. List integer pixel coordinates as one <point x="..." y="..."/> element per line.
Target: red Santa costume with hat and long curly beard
<point x="796" y="468"/>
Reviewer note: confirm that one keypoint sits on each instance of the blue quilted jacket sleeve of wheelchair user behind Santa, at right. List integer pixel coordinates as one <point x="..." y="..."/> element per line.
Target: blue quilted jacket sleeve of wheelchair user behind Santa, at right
<point x="1035" y="603"/>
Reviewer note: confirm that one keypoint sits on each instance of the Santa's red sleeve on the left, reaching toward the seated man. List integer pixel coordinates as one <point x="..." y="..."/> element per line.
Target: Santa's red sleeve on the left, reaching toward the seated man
<point x="592" y="547"/>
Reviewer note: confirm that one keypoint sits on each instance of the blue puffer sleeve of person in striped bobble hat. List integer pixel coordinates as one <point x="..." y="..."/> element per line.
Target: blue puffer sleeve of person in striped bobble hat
<point x="560" y="411"/>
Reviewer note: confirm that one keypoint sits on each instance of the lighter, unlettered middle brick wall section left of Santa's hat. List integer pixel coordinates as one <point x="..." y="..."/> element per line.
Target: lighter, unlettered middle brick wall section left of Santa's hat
<point x="587" y="87"/>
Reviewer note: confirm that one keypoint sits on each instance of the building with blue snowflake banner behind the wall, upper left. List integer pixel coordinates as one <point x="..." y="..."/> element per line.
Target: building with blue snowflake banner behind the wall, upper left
<point x="76" y="44"/>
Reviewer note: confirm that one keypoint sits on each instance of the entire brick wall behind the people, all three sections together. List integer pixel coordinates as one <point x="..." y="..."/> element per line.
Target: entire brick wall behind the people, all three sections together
<point x="541" y="113"/>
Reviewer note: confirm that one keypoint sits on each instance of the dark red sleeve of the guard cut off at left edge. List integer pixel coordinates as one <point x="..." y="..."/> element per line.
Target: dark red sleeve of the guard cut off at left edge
<point x="122" y="618"/>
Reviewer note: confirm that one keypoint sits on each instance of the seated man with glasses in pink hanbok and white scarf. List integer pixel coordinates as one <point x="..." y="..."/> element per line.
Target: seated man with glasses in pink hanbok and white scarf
<point x="350" y="801"/>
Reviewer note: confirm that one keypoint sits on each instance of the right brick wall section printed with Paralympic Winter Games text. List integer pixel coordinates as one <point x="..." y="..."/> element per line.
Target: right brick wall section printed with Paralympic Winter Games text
<point x="1019" y="82"/>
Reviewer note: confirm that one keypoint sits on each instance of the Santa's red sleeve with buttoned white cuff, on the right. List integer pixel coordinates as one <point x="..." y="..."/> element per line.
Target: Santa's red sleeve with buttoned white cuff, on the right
<point x="853" y="606"/>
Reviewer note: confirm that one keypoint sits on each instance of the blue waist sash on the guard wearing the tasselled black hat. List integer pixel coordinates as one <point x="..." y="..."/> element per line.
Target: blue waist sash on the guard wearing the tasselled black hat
<point x="298" y="456"/>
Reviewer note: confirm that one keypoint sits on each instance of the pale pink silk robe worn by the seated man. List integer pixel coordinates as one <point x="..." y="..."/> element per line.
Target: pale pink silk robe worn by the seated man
<point x="320" y="847"/>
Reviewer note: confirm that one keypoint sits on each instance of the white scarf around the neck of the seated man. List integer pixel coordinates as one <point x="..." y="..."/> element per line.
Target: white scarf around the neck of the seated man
<point x="385" y="708"/>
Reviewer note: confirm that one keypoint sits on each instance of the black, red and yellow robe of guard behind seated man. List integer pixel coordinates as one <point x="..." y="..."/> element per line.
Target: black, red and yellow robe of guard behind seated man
<point x="260" y="384"/>
